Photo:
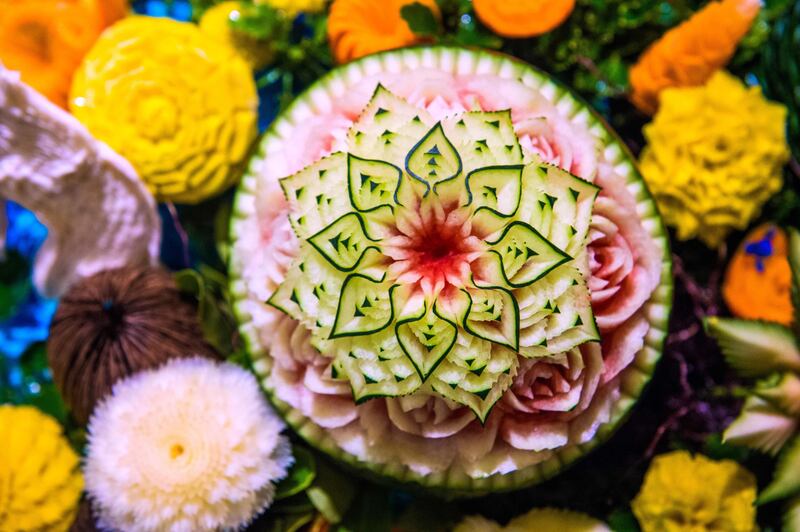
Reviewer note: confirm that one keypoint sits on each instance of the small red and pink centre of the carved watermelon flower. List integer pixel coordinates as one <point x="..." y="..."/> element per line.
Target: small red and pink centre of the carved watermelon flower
<point x="433" y="249"/>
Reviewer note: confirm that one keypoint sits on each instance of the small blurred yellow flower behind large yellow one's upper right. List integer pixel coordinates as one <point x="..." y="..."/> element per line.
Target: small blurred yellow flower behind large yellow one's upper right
<point x="216" y="22"/>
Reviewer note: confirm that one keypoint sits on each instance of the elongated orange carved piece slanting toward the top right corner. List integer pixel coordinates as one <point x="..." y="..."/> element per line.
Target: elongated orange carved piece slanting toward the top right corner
<point x="689" y="54"/>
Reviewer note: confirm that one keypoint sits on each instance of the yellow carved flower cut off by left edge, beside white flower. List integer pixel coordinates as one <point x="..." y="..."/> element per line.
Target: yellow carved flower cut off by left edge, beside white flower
<point x="40" y="478"/>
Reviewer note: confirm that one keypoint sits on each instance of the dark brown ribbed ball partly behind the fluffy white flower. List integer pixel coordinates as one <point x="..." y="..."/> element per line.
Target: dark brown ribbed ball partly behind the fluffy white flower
<point x="113" y="324"/>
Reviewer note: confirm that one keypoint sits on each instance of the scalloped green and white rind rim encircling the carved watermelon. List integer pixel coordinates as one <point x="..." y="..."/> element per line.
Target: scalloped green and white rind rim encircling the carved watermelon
<point x="657" y="310"/>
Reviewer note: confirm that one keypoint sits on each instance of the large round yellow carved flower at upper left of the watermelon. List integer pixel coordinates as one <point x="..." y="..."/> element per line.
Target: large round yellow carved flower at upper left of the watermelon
<point x="180" y="106"/>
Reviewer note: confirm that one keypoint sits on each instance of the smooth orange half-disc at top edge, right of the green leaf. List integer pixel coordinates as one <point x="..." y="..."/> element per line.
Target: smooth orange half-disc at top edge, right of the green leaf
<point x="523" y="18"/>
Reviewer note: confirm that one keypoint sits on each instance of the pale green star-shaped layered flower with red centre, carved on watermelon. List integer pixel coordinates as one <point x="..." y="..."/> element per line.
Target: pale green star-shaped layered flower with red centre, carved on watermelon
<point x="434" y="256"/>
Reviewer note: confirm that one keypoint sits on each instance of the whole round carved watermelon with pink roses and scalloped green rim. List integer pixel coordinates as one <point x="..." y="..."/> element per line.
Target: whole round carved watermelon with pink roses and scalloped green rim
<point x="448" y="271"/>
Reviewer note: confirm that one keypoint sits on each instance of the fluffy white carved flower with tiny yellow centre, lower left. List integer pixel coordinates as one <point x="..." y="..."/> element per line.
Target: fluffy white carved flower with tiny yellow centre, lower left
<point x="190" y="446"/>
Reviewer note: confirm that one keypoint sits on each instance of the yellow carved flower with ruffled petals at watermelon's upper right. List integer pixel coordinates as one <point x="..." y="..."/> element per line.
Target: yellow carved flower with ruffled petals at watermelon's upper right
<point x="714" y="156"/>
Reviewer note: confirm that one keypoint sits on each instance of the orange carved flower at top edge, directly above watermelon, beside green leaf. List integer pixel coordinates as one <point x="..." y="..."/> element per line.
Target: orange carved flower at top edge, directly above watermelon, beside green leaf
<point x="361" y="27"/>
